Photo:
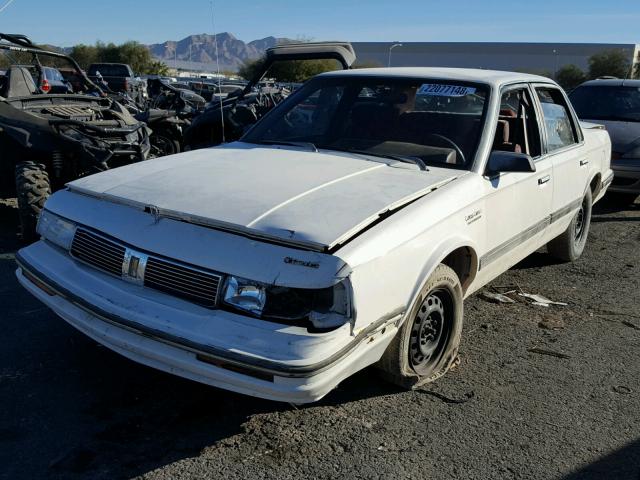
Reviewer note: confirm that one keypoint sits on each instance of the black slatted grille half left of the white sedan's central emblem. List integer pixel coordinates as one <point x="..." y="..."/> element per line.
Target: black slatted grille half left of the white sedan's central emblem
<point x="98" y="251"/>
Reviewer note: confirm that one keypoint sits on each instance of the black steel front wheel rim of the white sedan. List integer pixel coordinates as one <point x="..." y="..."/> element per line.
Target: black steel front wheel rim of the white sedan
<point x="431" y="330"/>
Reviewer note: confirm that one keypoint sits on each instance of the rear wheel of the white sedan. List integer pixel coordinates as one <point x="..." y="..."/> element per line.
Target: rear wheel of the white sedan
<point x="569" y="245"/>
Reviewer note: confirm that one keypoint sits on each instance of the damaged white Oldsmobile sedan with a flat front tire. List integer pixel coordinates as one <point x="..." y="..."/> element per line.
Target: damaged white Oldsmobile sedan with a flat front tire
<point x="344" y="230"/>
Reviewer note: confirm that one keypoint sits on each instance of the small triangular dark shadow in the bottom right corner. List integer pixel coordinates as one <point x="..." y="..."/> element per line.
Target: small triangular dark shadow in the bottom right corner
<point x="622" y="464"/>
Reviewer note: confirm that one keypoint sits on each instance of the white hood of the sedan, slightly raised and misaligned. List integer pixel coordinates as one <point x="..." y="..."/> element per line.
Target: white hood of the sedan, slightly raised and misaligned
<point x="312" y="199"/>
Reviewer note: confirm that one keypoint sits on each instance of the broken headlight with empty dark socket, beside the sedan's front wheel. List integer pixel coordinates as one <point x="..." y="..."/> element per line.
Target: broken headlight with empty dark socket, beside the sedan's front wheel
<point x="322" y="308"/>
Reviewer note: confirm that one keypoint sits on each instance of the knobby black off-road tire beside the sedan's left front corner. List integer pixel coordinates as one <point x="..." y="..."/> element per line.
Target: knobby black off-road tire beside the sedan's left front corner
<point x="32" y="189"/>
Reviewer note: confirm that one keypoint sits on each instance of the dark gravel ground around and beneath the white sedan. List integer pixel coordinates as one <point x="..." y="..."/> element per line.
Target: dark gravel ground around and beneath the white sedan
<point x="72" y="409"/>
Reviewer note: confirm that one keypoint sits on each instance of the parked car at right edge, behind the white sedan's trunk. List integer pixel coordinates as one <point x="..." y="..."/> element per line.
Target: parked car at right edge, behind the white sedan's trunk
<point x="615" y="103"/>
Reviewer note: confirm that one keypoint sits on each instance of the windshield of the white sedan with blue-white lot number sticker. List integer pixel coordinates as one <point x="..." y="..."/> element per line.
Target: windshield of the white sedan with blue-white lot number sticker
<point x="425" y="121"/>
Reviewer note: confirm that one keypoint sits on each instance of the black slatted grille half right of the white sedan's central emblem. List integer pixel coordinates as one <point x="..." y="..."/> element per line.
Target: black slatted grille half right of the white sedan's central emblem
<point x="193" y="284"/>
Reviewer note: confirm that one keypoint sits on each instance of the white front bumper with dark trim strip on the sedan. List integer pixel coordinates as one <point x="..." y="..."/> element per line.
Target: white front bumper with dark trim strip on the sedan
<point x="275" y="363"/>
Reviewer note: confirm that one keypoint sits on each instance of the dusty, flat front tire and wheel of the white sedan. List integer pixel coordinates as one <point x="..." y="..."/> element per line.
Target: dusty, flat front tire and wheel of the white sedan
<point x="427" y="344"/>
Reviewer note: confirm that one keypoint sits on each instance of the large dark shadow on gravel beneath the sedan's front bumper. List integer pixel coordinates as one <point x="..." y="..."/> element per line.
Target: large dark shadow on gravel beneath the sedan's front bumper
<point x="114" y="418"/>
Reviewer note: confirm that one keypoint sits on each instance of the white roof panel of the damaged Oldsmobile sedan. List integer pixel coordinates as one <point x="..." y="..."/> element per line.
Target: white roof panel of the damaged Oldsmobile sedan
<point x="495" y="78"/>
